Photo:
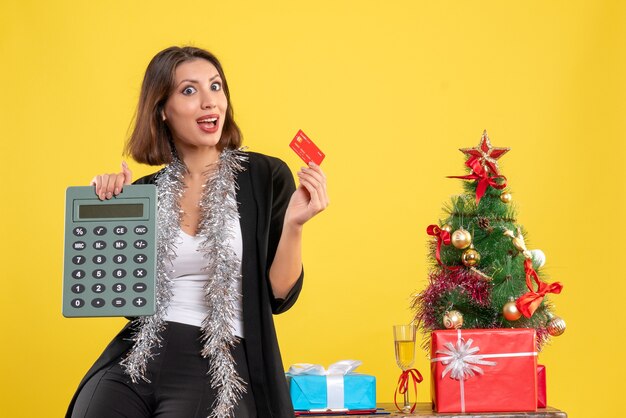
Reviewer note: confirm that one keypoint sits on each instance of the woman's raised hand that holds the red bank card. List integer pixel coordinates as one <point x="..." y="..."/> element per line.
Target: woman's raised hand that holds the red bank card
<point x="310" y="198"/>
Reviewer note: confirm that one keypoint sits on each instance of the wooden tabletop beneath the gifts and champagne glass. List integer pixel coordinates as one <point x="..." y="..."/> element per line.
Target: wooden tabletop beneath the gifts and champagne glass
<point x="424" y="410"/>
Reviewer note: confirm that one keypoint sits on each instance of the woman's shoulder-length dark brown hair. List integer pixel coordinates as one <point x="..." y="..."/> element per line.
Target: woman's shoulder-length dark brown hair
<point x="151" y="141"/>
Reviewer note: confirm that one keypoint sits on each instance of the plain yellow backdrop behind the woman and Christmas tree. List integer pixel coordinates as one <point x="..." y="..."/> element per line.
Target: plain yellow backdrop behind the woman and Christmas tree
<point x="389" y="90"/>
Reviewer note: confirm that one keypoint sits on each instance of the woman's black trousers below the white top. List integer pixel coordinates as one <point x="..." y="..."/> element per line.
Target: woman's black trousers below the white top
<point x="179" y="384"/>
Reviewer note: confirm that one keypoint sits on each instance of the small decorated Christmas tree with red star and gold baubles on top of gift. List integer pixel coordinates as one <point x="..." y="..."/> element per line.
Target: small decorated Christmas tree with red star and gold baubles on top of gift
<point x="482" y="274"/>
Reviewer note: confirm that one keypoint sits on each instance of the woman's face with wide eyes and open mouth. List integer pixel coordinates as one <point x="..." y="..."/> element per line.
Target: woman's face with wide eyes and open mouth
<point x="196" y="109"/>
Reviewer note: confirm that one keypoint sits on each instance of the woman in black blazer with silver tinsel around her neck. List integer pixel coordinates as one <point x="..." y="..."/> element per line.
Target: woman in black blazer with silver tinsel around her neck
<point x="229" y="256"/>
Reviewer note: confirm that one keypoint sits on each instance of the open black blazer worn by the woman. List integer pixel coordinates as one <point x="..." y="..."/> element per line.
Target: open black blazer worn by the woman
<point x="265" y="187"/>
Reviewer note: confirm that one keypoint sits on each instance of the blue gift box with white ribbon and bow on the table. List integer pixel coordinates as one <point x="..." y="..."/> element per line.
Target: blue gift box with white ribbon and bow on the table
<point x="313" y="388"/>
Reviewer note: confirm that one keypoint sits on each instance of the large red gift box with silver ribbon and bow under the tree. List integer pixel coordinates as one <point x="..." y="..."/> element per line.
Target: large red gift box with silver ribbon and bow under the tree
<point x="478" y="370"/>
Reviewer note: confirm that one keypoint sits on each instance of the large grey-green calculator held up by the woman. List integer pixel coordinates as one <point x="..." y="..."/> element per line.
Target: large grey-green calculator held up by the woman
<point x="110" y="265"/>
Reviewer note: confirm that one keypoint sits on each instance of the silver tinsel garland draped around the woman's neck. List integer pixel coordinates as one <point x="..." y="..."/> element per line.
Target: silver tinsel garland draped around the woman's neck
<point x="218" y="208"/>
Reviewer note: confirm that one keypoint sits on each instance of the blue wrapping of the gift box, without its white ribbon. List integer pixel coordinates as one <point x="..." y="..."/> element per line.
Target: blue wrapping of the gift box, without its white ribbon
<point x="310" y="391"/>
